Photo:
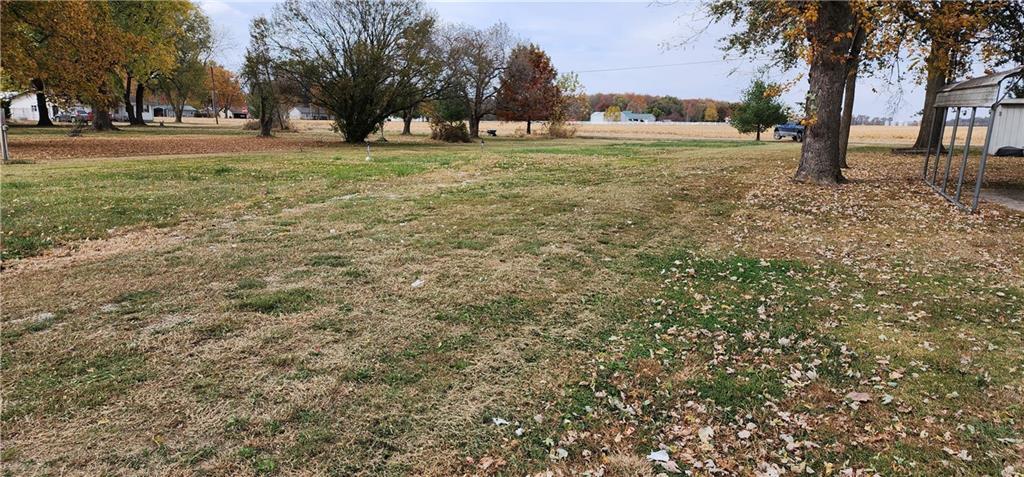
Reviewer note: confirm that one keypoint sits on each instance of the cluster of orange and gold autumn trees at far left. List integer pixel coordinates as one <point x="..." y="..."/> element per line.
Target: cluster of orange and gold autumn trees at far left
<point x="111" y="55"/>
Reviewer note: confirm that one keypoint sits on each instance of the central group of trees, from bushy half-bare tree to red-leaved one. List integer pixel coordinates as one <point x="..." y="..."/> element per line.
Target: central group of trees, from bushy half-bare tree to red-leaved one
<point x="366" y="61"/>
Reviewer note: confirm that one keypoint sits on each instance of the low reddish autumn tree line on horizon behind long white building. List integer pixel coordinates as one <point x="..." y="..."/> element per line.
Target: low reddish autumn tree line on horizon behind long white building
<point x="665" y="108"/>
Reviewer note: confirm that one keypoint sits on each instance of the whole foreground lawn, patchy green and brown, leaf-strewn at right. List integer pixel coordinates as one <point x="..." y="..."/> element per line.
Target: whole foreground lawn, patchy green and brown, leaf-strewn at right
<point x="520" y="308"/>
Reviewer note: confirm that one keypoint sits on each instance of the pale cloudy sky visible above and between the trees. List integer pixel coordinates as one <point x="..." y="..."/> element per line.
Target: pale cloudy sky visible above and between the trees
<point x="615" y="47"/>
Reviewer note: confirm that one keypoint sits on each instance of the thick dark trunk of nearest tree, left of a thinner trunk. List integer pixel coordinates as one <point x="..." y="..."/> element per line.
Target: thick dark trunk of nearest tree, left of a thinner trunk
<point x="820" y="160"/>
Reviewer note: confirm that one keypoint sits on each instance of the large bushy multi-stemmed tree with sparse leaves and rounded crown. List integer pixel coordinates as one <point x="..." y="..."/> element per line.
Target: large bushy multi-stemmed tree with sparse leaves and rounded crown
<point x="363" y="60"/>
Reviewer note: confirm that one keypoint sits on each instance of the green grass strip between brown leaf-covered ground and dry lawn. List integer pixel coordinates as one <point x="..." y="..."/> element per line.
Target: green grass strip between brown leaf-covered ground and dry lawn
<point x="92" y="200"/>
